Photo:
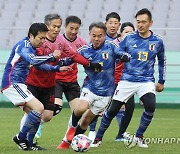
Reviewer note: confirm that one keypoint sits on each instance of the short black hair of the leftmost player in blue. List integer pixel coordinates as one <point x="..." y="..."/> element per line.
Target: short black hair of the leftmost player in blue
<point x="37" y="27"/>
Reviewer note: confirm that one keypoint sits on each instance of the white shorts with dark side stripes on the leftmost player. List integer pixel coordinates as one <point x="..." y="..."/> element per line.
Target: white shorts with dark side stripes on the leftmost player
<point x="18" y="94"/>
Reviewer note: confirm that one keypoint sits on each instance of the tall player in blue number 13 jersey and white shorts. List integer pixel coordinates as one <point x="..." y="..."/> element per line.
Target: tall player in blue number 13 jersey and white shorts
<point x="138" y="76"/>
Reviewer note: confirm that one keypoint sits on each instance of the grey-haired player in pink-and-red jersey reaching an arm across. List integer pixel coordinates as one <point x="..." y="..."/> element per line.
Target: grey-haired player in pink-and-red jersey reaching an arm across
<point x="42" y="83"/>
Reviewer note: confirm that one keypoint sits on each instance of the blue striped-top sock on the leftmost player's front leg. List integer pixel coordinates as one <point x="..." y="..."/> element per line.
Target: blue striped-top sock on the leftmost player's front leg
<point x="32" y="119"/>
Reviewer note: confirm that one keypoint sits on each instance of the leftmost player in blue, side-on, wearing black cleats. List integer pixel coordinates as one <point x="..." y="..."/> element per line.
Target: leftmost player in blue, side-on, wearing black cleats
<point x="22" y="56"/>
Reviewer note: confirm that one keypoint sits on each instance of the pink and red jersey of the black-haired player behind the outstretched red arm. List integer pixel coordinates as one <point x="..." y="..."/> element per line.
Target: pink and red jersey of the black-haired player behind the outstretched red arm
<point x="69" y="76"/>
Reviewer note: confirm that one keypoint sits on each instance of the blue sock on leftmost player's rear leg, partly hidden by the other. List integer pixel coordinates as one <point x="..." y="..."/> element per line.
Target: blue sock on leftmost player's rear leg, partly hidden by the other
<point x="32" y="133"/>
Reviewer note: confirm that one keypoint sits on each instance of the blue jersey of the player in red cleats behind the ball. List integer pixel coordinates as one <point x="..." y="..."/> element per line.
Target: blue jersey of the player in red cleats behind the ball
<point x="101" y="83"/>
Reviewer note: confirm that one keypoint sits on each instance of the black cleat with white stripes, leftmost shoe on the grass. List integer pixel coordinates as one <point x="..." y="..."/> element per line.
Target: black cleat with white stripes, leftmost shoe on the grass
<point x="23" y="144"/>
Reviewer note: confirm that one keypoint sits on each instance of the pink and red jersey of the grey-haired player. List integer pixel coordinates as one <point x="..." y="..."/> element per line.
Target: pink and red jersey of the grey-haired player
<point x="45" y="79"/>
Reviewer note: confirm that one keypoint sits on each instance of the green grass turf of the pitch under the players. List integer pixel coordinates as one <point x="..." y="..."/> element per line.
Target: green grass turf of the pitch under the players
<point x="166" y="124"/>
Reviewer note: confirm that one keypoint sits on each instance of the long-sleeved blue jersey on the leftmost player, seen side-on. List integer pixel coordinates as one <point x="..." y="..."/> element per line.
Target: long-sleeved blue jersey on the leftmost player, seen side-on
<point x="17" y="67"/>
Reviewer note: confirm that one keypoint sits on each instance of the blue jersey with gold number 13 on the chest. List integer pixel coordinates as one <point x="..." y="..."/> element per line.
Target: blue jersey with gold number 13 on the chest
<point x="143" y="53"/>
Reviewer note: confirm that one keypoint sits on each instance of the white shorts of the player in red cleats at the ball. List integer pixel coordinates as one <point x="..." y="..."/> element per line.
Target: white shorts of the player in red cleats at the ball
<point x="97" y="104"/>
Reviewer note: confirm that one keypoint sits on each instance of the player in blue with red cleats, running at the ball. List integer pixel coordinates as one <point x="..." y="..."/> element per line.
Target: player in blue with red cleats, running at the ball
<point x="99" y="84"/>
